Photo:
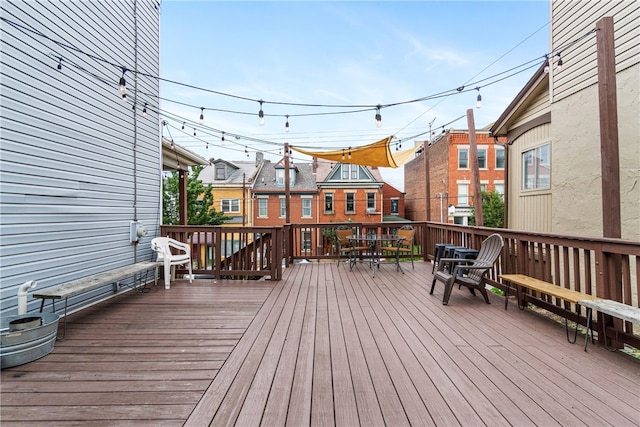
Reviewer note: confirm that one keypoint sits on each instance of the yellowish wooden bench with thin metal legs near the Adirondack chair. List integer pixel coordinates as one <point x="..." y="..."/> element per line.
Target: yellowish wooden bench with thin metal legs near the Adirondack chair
<point x="547" y="288"/>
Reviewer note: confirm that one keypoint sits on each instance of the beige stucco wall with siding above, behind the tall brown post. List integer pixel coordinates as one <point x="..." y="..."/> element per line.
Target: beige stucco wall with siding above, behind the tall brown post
<point x="575" y="132"/>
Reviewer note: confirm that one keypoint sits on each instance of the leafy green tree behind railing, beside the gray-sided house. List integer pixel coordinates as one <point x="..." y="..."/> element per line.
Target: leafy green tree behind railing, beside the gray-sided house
<point x="200" y="209"/>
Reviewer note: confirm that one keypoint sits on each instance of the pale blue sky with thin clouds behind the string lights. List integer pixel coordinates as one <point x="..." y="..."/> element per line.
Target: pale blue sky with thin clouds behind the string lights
<point x="328" y="64"/>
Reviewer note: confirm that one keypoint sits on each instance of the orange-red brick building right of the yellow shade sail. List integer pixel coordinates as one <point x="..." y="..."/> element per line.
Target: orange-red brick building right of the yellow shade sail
<point x="450" y="176"/>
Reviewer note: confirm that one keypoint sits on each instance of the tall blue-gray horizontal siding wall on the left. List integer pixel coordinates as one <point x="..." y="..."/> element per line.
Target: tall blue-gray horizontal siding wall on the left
<point x="76" y="163"/>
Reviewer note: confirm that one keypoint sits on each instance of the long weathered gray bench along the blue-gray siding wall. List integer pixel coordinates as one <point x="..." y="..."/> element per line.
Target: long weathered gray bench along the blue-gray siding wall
<point x="89" y="283"/>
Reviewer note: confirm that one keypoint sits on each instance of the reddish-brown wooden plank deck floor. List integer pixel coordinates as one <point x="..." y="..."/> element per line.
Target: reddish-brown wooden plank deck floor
<point x="324" y="346"/>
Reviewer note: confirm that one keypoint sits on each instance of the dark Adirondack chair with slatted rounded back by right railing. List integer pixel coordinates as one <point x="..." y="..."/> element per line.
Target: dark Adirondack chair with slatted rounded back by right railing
<point x="476" y="270"/>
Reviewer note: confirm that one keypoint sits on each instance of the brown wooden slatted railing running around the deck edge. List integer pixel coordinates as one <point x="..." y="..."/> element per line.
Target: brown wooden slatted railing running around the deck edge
<point x="607" y="268"/>
